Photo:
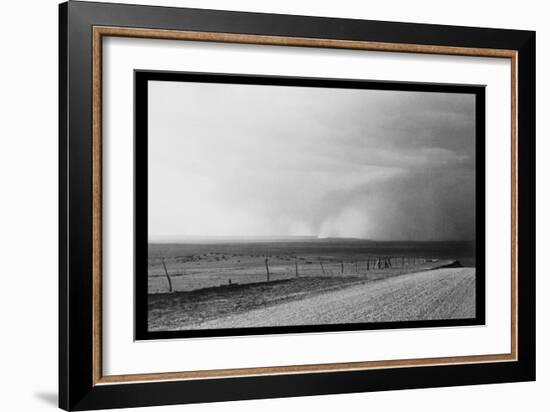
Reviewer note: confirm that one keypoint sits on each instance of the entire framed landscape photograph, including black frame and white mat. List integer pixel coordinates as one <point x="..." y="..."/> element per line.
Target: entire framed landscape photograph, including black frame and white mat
<point x="258" y="205"/>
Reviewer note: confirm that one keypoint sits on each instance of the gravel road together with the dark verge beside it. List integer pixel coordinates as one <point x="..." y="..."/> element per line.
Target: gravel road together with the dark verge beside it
<point x="434" y="294"/>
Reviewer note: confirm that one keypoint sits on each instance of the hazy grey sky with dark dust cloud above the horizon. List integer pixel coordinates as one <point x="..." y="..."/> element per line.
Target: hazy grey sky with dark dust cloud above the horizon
<point x="248" y="160"/>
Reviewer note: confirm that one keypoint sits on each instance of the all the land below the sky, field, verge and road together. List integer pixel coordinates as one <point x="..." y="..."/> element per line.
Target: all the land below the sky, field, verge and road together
<point x="240" y="283"/>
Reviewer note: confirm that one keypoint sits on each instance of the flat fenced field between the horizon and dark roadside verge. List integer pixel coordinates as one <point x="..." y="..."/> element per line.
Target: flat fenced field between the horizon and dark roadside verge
<point x="193" y="266"/>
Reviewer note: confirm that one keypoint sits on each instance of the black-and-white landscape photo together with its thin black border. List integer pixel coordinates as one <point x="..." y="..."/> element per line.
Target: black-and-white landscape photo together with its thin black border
<point x="274" y="204"/>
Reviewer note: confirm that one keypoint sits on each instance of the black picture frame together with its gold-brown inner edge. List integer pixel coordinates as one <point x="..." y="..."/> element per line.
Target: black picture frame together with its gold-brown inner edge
<point x="82" y="382"/>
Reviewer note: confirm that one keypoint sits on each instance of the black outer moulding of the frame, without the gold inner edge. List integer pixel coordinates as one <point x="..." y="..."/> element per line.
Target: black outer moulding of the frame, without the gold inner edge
<point x="76" y="388"/>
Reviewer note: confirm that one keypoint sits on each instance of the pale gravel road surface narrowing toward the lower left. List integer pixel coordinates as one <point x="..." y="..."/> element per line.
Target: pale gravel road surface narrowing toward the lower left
<point x="435" y="294"/>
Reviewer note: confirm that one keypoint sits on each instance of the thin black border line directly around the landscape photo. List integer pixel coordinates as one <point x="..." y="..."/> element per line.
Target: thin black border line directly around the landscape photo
<point x="141" y="79"/>
